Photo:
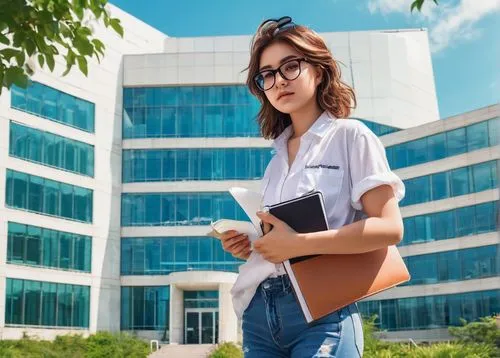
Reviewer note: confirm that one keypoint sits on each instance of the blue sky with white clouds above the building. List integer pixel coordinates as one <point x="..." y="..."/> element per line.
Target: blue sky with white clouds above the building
<point x="463" y="33"/>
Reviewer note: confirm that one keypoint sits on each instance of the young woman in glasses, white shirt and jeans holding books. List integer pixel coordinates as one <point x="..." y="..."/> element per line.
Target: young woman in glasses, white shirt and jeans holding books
<point x="304" y="106"/>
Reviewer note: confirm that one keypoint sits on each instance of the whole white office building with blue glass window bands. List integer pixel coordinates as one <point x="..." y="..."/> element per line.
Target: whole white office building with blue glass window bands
<point x="109" y="184"/>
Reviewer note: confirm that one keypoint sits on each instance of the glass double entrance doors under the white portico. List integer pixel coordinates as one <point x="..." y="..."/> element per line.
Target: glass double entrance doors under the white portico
<point x="201" y="326"/>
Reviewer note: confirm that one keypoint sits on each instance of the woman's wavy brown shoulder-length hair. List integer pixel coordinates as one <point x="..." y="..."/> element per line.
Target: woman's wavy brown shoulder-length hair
<point x="332" y="94"/>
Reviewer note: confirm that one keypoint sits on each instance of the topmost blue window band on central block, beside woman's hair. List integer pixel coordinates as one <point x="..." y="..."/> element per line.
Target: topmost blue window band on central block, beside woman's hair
<point x="189" y="112"/>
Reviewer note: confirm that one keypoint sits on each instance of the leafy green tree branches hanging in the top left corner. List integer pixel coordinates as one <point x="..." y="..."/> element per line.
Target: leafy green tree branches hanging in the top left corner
<point x="43" y="29"/>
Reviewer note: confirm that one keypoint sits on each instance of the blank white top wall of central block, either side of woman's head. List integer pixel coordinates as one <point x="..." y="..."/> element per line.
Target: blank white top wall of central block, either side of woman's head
<point x="390" y="71"/>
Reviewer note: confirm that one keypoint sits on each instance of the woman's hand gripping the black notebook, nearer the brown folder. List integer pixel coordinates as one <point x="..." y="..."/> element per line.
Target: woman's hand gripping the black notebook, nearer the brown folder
<point x="279" y="244"/>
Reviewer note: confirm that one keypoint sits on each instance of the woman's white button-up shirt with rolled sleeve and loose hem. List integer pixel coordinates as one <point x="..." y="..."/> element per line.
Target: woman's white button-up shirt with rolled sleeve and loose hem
<point x="343" y="159"/>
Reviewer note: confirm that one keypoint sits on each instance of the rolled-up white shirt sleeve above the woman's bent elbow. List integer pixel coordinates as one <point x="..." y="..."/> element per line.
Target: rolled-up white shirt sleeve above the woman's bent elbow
<point x="369" y="167"/>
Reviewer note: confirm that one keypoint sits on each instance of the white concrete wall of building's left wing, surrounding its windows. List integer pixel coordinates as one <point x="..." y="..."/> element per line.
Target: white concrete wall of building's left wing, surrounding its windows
<point x="103" y="87"/>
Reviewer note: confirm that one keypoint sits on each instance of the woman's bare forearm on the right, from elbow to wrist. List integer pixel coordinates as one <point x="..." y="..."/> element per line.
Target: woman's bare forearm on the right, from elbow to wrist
<point x="362" y="236"/>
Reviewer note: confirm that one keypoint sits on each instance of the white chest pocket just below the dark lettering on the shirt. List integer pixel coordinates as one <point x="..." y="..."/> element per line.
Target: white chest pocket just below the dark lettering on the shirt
<point x="326" y="180"/>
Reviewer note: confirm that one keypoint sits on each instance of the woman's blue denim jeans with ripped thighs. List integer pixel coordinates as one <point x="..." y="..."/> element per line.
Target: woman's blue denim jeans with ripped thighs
<point x="274" y="326"/>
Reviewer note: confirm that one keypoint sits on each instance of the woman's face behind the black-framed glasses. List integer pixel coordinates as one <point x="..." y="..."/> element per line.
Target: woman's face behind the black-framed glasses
<point x="289" y="96"/>
